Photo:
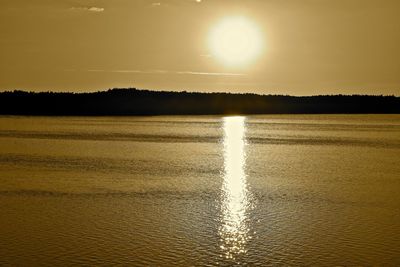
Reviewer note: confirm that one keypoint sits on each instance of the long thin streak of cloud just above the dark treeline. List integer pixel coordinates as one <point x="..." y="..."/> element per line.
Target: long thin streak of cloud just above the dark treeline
<point x="166" y="72"/>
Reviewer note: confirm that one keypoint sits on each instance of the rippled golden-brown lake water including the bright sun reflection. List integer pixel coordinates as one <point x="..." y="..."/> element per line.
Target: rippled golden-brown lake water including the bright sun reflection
<point x="158" y="191"/>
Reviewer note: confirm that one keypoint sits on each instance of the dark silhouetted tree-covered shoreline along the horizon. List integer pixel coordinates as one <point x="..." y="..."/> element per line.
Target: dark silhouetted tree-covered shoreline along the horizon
<point x="128" y="102"/>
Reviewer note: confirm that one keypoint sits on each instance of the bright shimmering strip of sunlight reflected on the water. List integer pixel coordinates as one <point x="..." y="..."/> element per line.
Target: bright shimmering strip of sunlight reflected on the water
<point x="234" y="231"/>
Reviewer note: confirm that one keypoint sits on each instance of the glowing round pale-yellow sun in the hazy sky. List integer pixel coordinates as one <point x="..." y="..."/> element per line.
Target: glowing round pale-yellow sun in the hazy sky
<point x="235" y="41"/>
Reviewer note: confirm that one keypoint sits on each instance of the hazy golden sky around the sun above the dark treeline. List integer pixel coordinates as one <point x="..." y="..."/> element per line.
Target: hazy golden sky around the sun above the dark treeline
<point x="308" y="46"/>
